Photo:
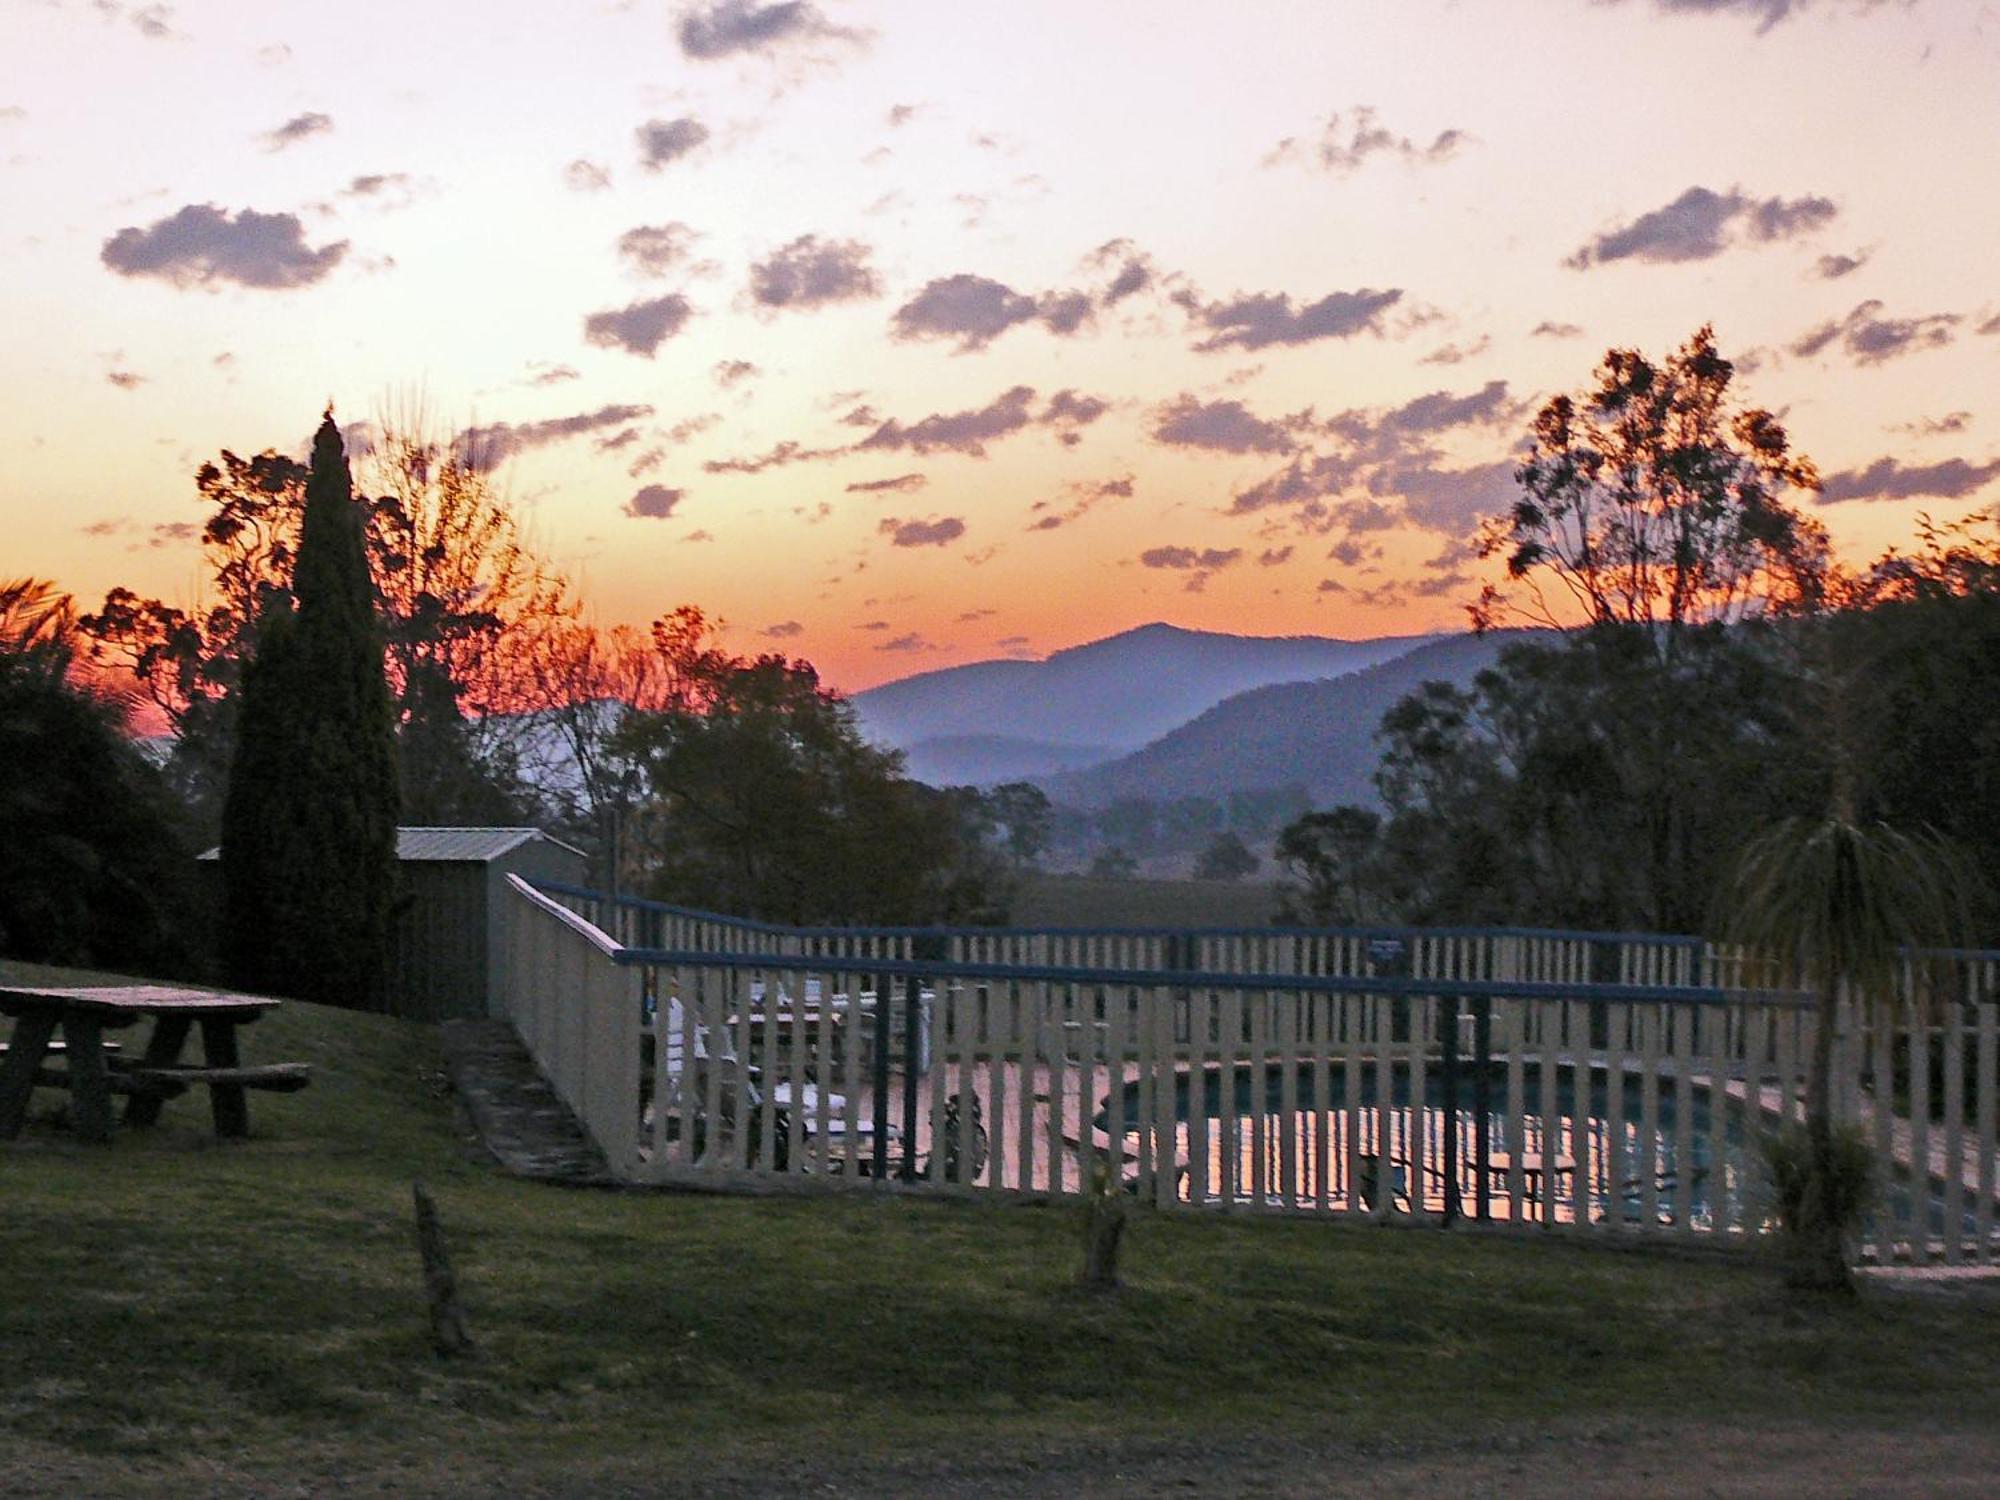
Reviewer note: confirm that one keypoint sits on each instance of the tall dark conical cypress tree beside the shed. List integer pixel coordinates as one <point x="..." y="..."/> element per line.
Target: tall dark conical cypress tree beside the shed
<point x="309" y="829"/>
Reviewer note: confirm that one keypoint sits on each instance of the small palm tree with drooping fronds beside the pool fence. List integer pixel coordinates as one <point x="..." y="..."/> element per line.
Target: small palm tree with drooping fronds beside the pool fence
<point x="1853" y="907"/>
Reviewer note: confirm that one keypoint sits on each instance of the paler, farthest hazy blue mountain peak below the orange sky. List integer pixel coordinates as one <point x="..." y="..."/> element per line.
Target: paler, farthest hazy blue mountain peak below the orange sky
<point x="1117" y="693"/>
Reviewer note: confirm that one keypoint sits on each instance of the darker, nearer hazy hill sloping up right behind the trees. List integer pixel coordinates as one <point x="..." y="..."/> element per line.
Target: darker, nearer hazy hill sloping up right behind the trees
<point x="1319" y="735"/>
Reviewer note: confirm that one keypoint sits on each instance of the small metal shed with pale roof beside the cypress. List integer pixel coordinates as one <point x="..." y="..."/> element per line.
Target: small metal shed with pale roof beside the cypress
<point x="451" y="947"/>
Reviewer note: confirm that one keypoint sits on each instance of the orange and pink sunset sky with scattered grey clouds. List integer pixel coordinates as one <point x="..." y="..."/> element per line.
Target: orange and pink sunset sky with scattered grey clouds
<point x="905" y="335"/>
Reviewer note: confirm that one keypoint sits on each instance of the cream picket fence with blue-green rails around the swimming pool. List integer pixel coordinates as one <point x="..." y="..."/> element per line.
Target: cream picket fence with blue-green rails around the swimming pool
<point x="1303" y="1073"/>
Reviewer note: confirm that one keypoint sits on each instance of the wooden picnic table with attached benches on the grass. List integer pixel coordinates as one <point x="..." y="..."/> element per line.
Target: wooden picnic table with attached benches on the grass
<point x="93" y="1075"/>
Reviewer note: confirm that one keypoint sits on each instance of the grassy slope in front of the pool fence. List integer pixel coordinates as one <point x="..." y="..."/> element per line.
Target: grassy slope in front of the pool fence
<point x="185" y="1315"/>
